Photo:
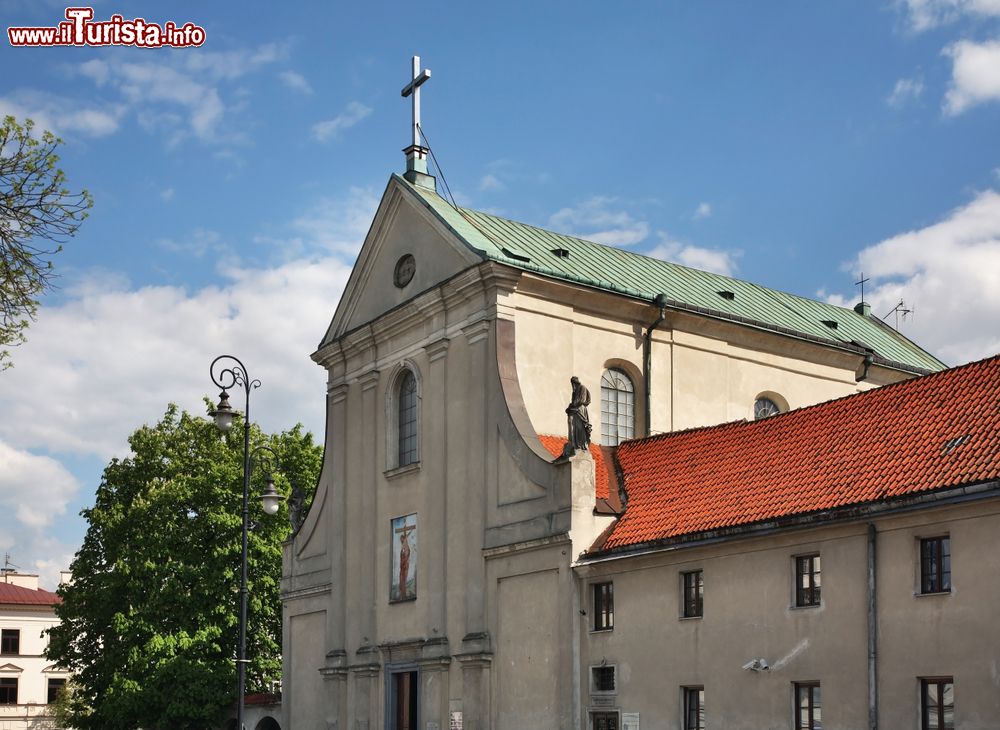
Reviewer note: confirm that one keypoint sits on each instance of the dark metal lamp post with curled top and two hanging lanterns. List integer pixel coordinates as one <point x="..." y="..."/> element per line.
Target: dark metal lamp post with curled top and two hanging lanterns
<point x="228" y="372"/>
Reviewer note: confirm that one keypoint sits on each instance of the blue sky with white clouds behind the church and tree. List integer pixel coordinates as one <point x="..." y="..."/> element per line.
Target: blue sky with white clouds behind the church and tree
<point x="792" y="144"/>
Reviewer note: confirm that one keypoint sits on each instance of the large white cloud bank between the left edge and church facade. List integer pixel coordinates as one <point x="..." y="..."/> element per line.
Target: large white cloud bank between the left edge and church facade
<point x="111" y="356"/>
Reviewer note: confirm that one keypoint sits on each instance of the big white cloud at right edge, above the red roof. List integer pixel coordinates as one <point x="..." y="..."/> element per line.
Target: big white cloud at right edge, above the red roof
<point x="949" y="273"/>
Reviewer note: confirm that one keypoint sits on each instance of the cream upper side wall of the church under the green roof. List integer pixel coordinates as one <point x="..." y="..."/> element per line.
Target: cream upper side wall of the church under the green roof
<point x="703" y="372"/>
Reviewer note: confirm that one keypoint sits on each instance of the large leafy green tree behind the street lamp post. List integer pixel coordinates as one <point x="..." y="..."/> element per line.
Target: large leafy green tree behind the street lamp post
<point x="150" y="622"/>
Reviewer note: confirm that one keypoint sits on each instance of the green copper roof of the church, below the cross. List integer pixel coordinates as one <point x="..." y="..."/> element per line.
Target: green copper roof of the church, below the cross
<point x="612" y="269"/>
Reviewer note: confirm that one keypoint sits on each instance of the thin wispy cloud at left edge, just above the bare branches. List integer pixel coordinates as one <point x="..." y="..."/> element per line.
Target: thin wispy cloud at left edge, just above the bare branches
<point x="61" y="116"/>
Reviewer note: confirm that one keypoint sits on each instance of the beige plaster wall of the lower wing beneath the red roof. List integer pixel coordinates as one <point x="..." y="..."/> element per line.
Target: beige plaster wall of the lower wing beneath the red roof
<point x="749" y="612"/>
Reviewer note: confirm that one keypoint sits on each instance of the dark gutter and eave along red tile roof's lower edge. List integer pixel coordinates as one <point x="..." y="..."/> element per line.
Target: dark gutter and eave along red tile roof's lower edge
<point x="841" y="515"/>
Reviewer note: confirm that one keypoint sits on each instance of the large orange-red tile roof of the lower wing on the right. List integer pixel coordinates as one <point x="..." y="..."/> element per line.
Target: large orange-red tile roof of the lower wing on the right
<point x="928" y="433"/>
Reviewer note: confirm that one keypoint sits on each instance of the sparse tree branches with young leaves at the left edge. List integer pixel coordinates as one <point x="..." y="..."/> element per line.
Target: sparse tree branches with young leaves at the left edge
<point x="38" y="213"/>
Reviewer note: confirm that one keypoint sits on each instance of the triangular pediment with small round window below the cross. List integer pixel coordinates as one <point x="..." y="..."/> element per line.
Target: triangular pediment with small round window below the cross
<point x="404" y="225"/>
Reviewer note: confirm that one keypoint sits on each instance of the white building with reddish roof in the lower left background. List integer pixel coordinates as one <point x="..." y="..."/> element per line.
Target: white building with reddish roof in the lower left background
<point x="29" y="683"/>
